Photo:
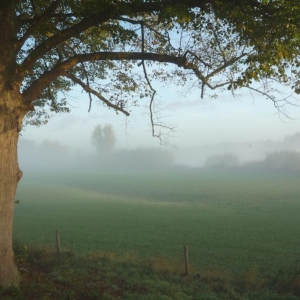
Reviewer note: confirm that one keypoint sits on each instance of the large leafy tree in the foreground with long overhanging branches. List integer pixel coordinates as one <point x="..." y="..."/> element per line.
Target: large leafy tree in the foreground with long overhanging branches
<point x="113" y="49"/>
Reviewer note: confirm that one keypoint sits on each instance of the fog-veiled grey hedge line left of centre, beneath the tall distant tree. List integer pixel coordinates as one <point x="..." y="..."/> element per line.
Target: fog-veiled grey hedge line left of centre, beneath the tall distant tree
<point x="54" y="157"/>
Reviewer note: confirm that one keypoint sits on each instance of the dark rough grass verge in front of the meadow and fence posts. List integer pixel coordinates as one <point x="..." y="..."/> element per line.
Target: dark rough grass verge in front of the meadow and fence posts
<point x="108" y="276"/>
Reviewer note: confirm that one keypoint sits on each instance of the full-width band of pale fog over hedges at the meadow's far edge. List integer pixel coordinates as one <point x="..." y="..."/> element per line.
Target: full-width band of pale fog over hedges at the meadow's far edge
<point x="51" y="156"/>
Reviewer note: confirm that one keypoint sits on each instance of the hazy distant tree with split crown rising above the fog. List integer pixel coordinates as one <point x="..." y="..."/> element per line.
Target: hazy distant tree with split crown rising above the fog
<point x="104" y="139"/>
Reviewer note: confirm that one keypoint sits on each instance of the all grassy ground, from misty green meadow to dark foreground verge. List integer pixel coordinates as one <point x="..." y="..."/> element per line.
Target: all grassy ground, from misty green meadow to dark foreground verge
<point x="123" y="236"/>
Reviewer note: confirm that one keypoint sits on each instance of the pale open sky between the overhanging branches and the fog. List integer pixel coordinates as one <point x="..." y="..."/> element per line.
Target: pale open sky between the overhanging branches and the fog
<point x="198" y="122"/>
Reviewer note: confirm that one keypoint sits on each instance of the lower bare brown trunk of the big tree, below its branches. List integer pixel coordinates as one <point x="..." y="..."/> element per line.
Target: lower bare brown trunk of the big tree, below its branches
<point x="10" y="174"/>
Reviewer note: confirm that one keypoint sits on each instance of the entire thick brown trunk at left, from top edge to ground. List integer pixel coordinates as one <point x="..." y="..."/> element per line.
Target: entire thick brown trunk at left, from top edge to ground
<point x="12" y="111"/>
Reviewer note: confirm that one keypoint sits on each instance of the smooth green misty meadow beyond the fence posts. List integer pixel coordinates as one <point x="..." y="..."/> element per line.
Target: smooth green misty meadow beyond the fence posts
<point x="233" y="222"/>
